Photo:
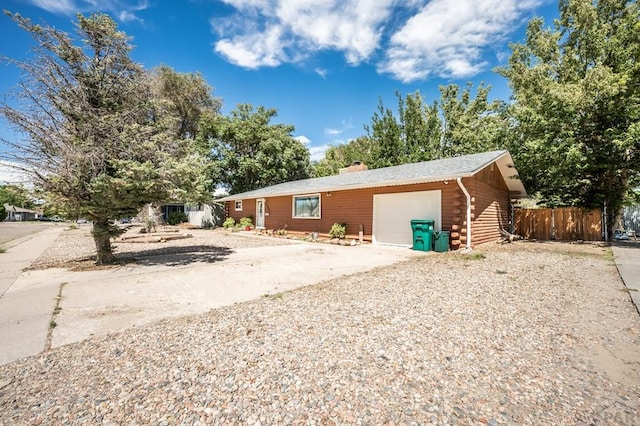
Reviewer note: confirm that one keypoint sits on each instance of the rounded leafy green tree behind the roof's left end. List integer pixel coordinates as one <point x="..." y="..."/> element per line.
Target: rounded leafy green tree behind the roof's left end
<point x="248" y="152"/>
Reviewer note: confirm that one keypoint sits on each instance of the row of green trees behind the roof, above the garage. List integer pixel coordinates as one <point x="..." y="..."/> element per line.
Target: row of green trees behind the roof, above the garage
<point x="458" y="123"/>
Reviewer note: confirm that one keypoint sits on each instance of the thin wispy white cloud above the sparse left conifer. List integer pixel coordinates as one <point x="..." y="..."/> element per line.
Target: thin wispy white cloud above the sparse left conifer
<point x="124" y="10"/>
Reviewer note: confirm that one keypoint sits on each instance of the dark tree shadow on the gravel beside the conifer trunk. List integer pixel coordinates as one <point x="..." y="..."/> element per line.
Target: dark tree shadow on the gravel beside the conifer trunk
<point x="176" y="256"/>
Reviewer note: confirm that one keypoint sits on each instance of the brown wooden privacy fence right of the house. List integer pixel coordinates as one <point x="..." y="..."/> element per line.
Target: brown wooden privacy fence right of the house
<point x="563" y="224"/>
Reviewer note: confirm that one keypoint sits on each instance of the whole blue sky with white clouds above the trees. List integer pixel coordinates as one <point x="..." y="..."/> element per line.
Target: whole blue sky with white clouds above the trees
<point x="322" y="64"/>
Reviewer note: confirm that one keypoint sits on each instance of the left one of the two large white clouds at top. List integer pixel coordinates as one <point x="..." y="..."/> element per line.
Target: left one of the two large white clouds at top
<point x="297" y="28"/>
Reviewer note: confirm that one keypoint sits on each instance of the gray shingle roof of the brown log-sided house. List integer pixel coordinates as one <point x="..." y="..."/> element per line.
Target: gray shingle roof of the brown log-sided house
<point x="428" y="171"/>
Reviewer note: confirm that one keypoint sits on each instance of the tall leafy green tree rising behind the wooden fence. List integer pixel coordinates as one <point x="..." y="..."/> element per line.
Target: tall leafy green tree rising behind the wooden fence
<point x="576" y="93"/>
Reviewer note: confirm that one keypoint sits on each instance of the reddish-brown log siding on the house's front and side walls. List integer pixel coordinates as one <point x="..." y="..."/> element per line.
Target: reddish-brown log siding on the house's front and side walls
<point x="490" y="207"/>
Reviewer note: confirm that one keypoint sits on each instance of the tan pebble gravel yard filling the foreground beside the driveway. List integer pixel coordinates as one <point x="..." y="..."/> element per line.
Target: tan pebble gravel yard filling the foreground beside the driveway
<point x="527" y="333"/>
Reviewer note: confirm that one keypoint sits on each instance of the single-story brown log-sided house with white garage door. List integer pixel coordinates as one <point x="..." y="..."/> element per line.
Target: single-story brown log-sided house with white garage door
<point x="469" y="196"/>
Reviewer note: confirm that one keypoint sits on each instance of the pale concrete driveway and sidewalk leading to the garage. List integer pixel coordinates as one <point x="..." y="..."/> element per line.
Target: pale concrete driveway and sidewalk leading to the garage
<point x="53" y="307"/>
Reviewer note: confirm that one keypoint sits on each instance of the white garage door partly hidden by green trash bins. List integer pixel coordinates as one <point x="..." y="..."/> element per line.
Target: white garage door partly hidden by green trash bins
<point x="392" y="215"/>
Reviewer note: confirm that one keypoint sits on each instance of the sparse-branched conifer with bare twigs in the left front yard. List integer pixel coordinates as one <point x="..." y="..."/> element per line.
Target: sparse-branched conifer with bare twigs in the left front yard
<point x="96" y="137"/>
